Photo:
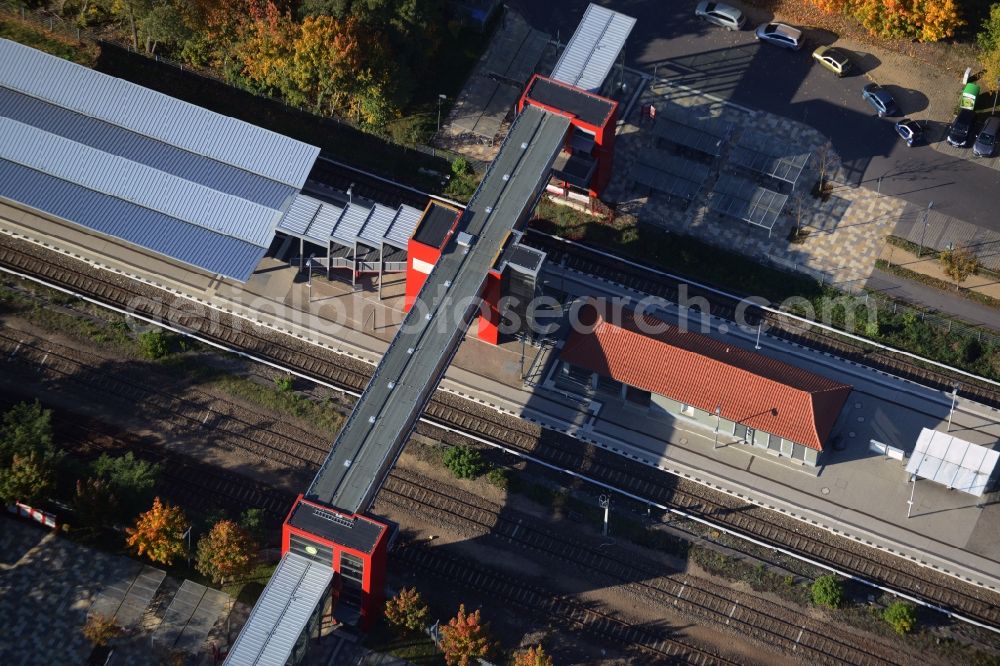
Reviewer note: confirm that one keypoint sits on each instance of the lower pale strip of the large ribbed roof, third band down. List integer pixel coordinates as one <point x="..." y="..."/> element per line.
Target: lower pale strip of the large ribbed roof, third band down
<point x="136" y="183"/>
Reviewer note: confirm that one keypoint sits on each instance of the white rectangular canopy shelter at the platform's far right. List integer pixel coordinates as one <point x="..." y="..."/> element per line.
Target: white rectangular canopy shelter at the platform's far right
<point x="952" y="462"/>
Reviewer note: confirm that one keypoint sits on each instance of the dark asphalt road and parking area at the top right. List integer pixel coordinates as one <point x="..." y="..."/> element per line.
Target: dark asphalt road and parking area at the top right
<point x="735" y="67"/>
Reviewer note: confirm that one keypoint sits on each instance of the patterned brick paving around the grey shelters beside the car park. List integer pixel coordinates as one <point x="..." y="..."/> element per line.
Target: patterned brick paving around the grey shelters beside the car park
<point x="845" y="232"/>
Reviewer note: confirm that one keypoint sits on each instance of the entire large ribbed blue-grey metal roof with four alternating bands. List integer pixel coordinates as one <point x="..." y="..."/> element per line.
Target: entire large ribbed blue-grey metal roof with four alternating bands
<point x="125" y="161"/>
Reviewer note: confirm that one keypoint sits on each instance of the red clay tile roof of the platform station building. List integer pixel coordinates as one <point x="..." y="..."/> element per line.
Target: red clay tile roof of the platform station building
<point x="696" y="370"/>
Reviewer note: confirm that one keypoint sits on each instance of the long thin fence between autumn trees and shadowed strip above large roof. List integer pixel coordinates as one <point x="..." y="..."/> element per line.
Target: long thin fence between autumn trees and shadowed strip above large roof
<point x="62" y="27"/>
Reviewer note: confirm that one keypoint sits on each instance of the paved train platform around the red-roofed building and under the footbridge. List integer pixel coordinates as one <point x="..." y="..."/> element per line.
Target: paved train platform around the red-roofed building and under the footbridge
<point x="855" y="492"/>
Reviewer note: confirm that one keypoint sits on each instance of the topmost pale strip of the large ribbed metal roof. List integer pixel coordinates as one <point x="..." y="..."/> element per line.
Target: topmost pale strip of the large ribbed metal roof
<point x="155" y="115"/>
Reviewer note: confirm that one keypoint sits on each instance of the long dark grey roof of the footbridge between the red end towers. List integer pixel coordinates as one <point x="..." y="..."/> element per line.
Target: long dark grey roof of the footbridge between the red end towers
<point x="379" y="425"/>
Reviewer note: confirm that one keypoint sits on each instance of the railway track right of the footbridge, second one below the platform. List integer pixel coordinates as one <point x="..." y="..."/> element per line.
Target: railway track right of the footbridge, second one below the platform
<point x="751" y="617"/>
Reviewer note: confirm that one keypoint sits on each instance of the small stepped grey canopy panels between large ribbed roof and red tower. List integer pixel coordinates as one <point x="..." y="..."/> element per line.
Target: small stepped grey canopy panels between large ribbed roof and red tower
<point x="320" y="221"/>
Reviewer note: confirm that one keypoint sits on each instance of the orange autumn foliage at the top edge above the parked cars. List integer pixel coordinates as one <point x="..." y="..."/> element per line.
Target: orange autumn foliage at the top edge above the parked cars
<point x="926" y="20"/>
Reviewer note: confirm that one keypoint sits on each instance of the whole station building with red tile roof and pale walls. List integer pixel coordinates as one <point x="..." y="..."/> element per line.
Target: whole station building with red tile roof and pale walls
<point x="746" y="396"/>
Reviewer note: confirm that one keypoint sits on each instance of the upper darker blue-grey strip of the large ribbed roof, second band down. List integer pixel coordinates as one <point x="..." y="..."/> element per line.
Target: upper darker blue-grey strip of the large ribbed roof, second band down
<point x="138" y="148"/>
